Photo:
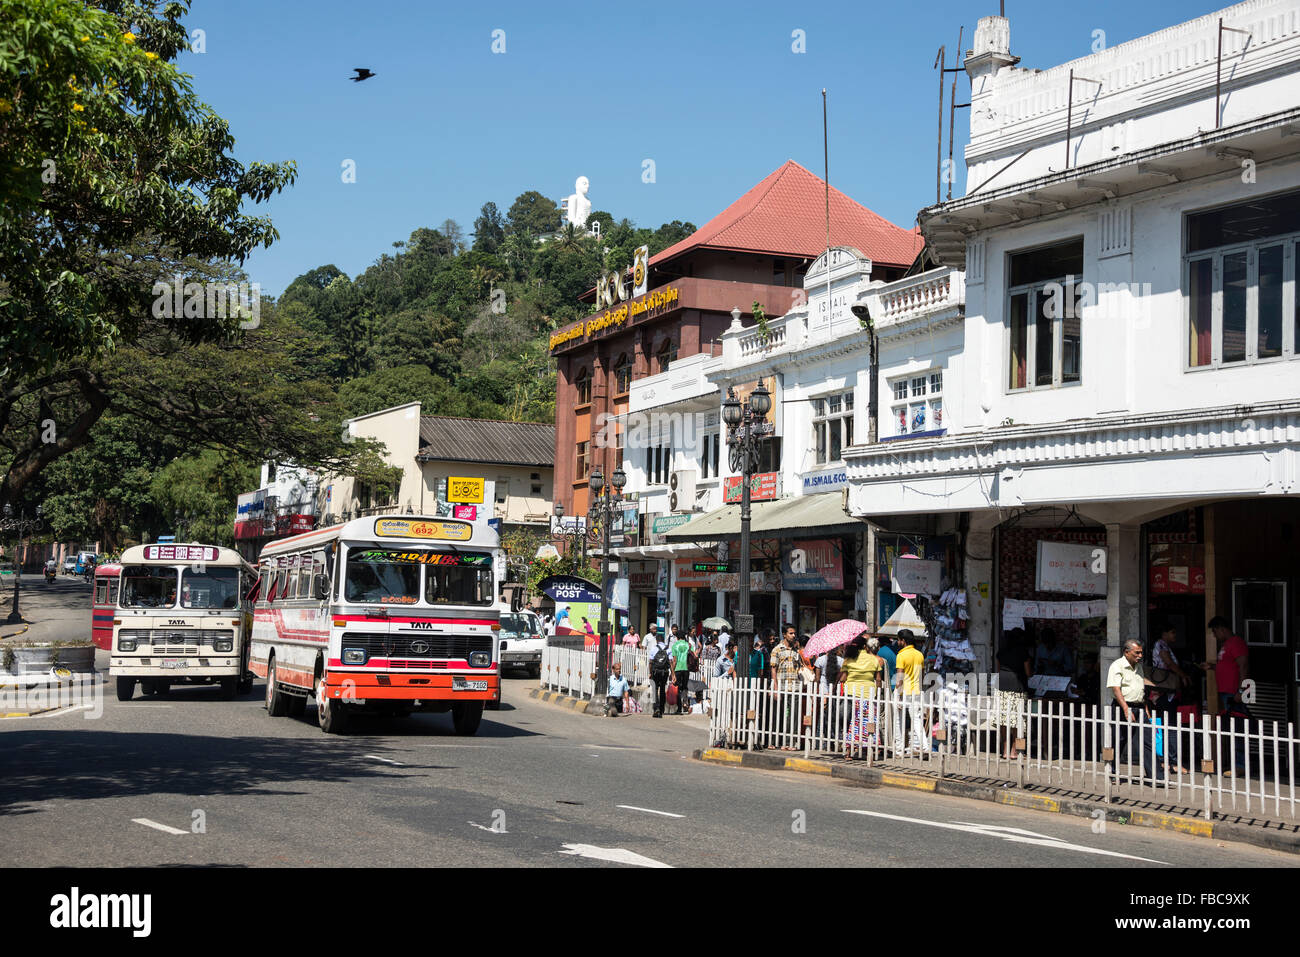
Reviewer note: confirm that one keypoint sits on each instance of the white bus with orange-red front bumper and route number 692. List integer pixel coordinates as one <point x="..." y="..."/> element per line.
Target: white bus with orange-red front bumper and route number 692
<point x="383" y="614"/>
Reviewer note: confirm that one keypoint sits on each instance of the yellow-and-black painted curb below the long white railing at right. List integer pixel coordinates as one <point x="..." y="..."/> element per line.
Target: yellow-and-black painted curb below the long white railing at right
<point x="1272" y="839"/>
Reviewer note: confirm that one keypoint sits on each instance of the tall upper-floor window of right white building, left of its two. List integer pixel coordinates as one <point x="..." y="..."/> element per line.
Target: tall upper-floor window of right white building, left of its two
<point x="1045" y="332"/>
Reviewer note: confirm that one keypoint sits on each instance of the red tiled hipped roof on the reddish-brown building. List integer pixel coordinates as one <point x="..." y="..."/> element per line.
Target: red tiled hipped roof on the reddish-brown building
<point x="786" y="216"/>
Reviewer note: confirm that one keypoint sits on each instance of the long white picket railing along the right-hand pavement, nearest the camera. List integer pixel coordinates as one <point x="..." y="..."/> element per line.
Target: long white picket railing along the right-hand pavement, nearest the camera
<point x="1215" y="765"/>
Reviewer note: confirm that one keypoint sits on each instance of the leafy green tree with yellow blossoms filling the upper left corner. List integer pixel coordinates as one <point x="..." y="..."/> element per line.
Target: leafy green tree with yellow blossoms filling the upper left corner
<point x="106" y="145"/>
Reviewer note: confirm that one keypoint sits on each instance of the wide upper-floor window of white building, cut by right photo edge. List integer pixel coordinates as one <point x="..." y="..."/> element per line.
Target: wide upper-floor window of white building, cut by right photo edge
<point x="1240" y="274"/>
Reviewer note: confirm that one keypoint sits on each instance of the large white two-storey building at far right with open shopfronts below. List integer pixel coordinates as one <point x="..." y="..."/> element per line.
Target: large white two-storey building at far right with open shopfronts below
<point x="1129" y="375"/>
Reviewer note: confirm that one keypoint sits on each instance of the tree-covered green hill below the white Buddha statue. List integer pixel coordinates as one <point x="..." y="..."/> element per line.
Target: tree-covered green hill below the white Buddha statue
<point x="461" y="323"/>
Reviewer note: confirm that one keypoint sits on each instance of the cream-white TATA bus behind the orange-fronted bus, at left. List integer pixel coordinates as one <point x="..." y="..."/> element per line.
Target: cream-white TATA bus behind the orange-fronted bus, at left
<point x="181" y="616"/>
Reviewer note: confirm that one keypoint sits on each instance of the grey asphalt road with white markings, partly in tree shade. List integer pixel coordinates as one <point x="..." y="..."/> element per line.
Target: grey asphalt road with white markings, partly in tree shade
<point x="196" y="781"/>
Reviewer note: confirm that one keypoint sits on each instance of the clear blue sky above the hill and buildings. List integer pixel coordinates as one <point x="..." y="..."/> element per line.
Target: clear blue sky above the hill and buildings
<point x="709" y="90"/>
